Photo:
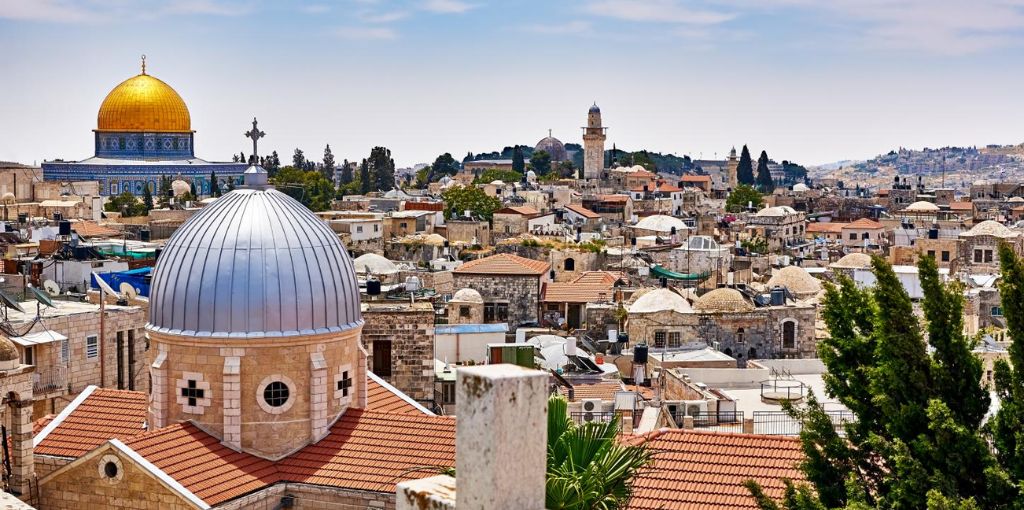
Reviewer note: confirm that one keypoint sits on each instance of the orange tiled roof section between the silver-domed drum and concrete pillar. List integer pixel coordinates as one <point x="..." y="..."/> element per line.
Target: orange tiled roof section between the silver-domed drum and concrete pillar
<point x="369" y="451"/>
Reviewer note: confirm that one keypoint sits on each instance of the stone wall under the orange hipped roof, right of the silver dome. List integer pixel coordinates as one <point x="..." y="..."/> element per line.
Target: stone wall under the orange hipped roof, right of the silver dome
<point x="522" y="293"/>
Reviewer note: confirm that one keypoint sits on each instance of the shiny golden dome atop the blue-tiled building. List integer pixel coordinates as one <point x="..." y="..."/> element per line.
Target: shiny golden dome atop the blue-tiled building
<point x="144" y="104"/>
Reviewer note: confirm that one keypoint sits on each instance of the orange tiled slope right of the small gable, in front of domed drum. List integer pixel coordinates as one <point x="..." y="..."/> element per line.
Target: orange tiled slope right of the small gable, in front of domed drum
<point x="197" y="460"/>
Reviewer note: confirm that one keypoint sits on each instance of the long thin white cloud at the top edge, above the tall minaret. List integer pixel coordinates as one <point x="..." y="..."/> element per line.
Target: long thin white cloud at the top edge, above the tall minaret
<point x="672" y="12"/>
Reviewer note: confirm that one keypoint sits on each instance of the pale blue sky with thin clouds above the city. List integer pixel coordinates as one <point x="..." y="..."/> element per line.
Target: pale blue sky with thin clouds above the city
<point x="809" y="81"/>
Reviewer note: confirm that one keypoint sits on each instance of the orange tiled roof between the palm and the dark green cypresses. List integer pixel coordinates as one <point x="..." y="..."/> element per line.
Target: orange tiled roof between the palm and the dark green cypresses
<point x="708" y="470"/>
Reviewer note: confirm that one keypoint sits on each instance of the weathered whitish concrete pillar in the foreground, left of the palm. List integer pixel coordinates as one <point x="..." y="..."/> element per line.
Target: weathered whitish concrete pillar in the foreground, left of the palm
<point x="501" y="438"/>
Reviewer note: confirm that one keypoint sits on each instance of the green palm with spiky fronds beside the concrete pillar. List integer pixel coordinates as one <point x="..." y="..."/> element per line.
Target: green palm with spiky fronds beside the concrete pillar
<point x="588" y="467"/>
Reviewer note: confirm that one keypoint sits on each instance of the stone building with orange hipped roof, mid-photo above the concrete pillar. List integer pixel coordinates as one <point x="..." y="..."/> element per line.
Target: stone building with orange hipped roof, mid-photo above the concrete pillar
<point x="510" y="286"/>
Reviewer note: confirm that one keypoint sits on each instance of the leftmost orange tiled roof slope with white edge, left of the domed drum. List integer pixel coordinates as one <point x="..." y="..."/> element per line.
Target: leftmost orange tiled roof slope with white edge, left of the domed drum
<point x="97" y="416"/>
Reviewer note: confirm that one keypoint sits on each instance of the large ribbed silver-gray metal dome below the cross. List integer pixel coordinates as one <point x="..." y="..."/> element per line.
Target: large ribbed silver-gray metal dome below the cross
<point x="254" y="264"/>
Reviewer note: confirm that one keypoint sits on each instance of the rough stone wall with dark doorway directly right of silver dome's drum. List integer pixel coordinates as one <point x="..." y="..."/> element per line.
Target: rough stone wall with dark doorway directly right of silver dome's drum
<point x="411" y="330"/>
